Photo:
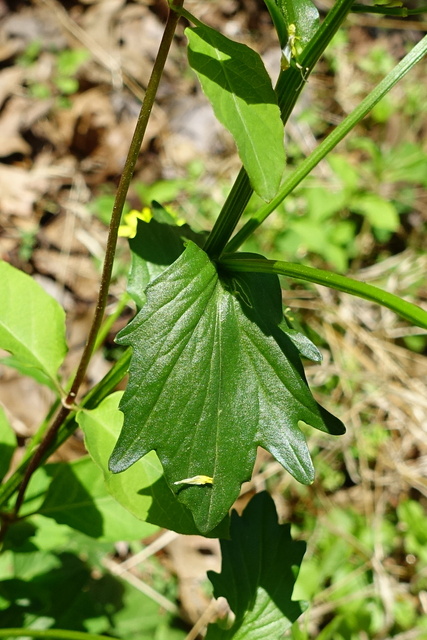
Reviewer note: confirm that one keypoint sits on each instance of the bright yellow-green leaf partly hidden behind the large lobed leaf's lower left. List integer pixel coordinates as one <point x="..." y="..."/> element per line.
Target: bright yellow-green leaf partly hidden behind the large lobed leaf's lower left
<point x="142" y="490"/>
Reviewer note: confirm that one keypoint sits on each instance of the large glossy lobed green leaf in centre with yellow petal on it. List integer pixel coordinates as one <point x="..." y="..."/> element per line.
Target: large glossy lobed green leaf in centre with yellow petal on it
<point x="212" y="377"/>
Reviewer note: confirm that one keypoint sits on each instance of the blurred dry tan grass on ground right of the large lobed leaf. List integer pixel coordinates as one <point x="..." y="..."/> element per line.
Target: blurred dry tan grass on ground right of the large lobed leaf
<point x="381" y="388"/>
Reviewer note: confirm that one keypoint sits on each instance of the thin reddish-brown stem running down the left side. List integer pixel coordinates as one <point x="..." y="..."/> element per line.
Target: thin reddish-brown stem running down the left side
<point x="119" y="202"/>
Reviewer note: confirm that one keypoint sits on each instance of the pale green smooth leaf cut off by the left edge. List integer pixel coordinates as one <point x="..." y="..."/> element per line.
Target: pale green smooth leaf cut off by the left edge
<point x="32" y="324"/>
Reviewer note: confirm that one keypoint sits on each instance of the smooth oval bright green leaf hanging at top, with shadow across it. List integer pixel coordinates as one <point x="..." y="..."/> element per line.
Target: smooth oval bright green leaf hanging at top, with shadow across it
<point x="236" y="82"/>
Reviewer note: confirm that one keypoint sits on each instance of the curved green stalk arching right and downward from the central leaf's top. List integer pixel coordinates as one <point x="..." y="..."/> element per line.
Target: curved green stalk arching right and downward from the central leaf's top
<point x="405" y="309"/>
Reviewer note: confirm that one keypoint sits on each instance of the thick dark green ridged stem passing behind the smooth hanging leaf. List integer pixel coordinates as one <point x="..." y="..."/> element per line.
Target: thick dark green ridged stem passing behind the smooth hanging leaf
<point x="288" y="88"/>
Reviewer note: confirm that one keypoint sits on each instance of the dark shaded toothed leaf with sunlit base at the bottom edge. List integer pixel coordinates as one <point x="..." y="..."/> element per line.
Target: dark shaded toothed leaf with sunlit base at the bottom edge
<point x="260" y="564"/>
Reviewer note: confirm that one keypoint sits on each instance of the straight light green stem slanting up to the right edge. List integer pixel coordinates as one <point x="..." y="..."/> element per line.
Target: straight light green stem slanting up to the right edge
<point x="414" y="56"/>
